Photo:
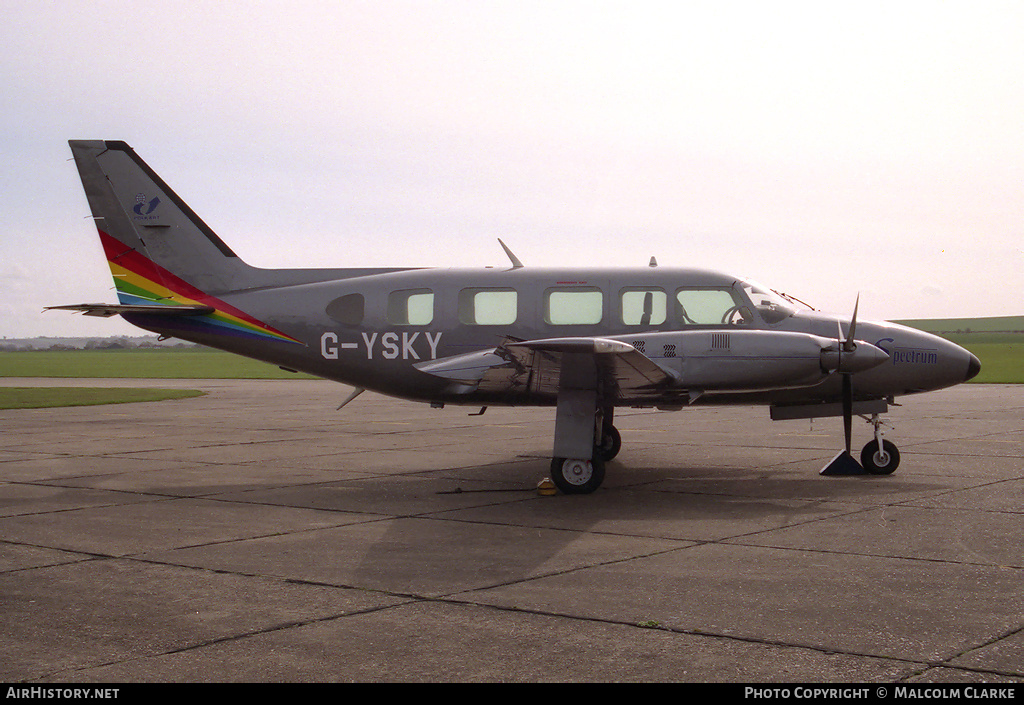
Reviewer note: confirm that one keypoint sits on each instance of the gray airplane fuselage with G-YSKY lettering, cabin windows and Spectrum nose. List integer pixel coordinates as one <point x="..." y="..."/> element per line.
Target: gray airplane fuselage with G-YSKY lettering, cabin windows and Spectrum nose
<point x="377" y="331"/>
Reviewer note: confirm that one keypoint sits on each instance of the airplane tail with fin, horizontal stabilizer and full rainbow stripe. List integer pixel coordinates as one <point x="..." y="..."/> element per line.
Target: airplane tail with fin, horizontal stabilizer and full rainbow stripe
<point x="173" y="274"/>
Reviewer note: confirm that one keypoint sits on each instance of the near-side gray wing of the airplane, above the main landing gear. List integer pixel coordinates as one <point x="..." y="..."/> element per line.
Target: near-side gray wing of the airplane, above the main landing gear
<point x="536" y="367"/>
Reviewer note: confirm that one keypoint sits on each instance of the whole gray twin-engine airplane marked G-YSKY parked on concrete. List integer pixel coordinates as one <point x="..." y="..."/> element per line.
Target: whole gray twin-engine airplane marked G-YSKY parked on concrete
<point x="584" y="342"/>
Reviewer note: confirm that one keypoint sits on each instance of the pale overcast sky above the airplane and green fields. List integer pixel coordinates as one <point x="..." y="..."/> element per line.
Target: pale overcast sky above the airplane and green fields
<point x="825" y="149"/>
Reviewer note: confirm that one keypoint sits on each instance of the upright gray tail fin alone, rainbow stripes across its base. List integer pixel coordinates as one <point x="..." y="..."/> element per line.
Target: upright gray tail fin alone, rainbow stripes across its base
<point x="160" y="252"/>
